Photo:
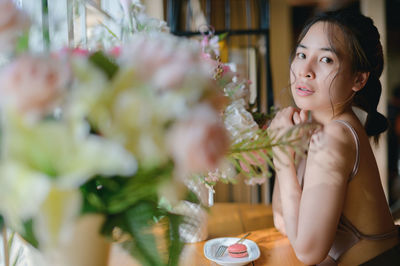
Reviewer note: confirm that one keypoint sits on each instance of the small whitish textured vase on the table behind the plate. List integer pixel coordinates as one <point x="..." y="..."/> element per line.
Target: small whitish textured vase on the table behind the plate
<point x="194" y="226"/>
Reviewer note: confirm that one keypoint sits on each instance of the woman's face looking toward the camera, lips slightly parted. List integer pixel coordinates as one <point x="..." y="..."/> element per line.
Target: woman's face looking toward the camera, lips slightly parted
<point x="319" y="79"/>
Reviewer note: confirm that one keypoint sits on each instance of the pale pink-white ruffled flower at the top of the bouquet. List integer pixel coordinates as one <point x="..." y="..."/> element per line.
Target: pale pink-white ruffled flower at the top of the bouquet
<point x="166" y="63"/>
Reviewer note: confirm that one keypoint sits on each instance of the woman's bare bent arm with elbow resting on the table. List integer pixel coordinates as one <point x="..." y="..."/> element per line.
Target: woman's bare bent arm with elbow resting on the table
<point x="311" y="215"/>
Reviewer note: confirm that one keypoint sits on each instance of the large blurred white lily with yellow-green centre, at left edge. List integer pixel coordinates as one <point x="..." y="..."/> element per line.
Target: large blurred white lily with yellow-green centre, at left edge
<point x="63" y="154"/>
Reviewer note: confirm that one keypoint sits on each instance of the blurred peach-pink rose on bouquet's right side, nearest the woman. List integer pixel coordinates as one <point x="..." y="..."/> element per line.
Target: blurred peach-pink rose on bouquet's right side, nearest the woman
<point x="198" y="143"/>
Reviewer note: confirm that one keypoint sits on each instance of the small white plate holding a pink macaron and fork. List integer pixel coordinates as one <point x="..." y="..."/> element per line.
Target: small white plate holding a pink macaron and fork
<point x="211" y="246"/>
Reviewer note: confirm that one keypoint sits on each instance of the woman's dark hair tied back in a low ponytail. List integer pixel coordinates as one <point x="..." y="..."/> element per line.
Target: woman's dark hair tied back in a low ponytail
<point x="365" y="52"/>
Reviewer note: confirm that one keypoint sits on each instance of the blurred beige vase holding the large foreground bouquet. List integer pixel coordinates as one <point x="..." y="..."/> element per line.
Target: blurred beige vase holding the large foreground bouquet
<point x="85" y="247"/>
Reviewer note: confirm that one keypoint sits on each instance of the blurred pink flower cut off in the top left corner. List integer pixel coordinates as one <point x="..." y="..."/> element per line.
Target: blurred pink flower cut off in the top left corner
<point x="12" y="23"/>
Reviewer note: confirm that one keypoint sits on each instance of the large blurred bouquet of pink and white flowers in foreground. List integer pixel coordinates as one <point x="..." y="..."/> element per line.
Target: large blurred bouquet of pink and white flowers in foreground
<point x="113" y="134"/>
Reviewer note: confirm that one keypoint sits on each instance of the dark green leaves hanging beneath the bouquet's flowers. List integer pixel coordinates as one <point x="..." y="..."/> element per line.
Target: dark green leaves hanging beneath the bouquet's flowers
<point x="131" y="204"/>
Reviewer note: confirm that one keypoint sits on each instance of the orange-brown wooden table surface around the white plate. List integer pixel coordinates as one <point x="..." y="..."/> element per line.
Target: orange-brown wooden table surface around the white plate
<point x="230" y="220"/>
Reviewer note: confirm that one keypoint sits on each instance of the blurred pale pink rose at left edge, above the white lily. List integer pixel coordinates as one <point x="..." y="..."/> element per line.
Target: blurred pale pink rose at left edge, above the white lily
<point x="33" y="85"/>
